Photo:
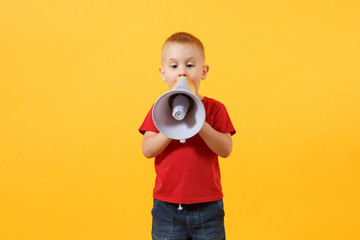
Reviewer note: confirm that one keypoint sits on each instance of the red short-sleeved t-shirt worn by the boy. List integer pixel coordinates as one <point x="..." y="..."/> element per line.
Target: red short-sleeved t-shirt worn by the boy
<point x="189" y="172"/>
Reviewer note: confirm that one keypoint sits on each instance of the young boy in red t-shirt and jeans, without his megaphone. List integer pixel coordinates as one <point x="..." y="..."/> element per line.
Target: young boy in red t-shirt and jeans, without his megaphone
<point x="188" y="194"/>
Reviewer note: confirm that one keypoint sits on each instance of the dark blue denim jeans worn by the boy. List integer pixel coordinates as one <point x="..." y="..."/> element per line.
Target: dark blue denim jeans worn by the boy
<point x="193" y="221"/>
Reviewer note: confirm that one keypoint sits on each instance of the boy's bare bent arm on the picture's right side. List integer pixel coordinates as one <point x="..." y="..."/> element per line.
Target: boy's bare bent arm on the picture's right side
<point x="220" y="143"/>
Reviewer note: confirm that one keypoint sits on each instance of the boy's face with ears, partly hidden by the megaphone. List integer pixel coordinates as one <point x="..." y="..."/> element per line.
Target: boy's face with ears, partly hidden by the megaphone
<point x="183" y="60"/>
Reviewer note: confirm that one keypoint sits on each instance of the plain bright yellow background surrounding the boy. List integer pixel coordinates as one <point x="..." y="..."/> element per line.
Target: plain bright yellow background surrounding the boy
<point x="78" y="77"/>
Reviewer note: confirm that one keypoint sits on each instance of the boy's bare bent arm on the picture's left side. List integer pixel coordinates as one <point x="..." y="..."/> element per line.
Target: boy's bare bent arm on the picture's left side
<point x="154" y="143"/>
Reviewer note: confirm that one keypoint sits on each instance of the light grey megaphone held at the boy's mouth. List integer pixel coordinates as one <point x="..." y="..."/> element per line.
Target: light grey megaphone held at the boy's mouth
<point x="179" y="114"/>
